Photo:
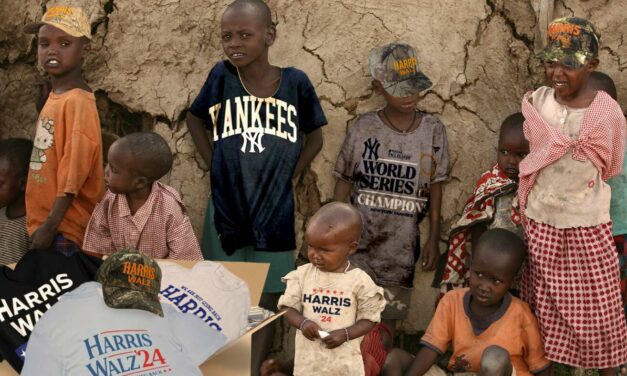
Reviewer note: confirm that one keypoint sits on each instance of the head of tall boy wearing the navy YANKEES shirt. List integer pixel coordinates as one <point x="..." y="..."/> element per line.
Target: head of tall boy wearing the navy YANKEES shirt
<point x="247" y="31"/>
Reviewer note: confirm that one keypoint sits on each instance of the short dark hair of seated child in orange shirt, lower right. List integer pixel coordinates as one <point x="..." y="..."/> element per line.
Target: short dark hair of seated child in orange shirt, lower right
<point x="503" y="248"/>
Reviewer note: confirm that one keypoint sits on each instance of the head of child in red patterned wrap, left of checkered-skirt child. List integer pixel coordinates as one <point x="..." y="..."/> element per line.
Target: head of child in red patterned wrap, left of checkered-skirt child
<point x="513" y="146"/>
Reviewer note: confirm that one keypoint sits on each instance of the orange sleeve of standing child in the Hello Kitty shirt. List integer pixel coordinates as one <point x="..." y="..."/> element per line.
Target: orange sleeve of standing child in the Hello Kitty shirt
<point x="81" y="146"/>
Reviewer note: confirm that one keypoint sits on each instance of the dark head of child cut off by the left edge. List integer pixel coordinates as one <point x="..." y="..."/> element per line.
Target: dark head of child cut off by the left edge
<point x="14" y="161"/>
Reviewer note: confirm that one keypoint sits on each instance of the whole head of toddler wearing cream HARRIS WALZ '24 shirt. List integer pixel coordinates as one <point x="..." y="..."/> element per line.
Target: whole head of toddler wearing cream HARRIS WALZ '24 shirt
<point x="332" y="235"/>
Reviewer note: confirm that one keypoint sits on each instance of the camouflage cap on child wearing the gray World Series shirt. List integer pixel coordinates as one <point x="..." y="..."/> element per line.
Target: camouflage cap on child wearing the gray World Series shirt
<point x="396" y="67"/>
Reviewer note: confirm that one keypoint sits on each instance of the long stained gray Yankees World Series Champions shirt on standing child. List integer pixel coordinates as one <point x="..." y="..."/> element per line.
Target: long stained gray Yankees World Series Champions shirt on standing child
<point x="391" y="174"/>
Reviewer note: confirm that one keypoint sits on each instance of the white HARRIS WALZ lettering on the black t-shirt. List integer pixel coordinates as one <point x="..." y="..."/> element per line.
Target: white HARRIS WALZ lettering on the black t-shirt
<point x="11" y="309"/>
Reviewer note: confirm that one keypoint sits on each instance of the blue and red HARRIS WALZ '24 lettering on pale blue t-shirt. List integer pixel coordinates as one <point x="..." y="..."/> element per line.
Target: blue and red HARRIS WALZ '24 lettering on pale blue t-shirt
<point x="116" y="352"/>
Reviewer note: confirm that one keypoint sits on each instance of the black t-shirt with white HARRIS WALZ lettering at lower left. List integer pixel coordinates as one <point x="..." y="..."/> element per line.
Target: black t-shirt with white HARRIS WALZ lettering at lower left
<point x="37" y="282"/>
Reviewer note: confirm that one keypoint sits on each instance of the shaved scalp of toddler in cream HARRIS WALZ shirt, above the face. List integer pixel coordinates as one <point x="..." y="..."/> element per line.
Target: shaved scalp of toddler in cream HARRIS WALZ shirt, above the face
<point x="339" y="220"/>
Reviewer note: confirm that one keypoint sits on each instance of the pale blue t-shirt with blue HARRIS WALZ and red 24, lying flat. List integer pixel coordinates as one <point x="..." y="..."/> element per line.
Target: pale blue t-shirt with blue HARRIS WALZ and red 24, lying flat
<point x="81" y="335"/>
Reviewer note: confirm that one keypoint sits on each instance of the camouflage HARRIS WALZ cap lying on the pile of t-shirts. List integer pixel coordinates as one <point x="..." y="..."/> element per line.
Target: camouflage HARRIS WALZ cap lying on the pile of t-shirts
<point x="131" y="280"/>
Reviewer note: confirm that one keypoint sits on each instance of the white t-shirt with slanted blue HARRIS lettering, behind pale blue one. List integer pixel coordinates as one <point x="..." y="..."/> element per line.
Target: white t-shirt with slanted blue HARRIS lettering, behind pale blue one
<point x="210" y="292"/>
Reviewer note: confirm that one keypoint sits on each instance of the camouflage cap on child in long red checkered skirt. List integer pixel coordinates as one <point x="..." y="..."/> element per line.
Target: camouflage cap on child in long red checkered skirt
<point x="571" y="41"/>
